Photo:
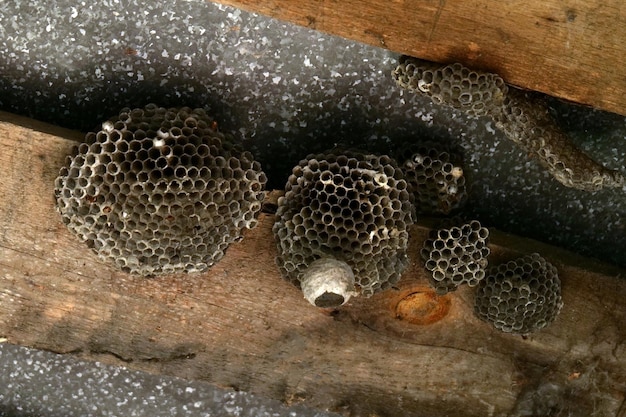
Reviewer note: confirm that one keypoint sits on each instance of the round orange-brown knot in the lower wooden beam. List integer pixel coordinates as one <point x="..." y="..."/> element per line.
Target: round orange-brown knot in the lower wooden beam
<point x="422" y="307"/>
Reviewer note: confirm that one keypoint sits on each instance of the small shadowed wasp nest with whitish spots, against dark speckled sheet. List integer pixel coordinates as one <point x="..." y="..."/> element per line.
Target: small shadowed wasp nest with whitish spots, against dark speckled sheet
<point x="436" y="180"/>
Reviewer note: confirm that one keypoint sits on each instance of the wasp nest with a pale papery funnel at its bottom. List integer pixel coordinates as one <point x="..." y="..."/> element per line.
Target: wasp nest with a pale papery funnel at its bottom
<point x="342" y="226"/>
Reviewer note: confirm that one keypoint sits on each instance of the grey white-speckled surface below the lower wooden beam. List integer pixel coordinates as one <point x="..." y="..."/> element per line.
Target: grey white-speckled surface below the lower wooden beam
<point x="37" y="383"/>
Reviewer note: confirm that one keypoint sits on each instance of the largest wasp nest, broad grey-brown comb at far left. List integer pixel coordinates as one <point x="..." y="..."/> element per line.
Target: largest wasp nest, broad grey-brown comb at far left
<point x="159" y="191"/>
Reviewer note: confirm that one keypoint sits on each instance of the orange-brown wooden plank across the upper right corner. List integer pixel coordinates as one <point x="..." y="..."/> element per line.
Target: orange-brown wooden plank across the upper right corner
<point x="575" y="49"/>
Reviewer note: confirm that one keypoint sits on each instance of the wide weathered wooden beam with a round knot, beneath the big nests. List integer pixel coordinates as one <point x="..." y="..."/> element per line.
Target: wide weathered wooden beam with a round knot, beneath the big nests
<point x="240" y="325"/>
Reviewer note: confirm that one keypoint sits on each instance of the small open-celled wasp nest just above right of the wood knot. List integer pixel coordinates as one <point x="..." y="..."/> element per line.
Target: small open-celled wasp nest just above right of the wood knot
<point x="456" y="255"/>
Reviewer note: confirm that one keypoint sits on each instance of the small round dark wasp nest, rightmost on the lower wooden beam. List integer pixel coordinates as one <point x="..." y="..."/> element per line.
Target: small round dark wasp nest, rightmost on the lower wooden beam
<point x="520" y="296"/>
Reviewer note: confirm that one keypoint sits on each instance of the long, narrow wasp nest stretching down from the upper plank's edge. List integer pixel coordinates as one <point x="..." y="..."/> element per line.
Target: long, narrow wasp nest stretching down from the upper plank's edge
<point x="522" y="117"/>
